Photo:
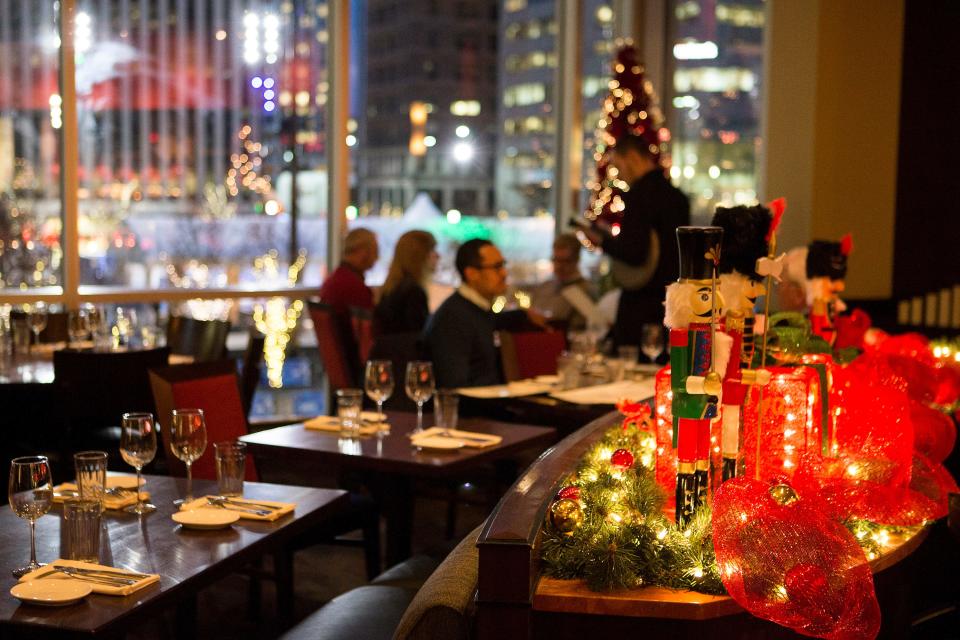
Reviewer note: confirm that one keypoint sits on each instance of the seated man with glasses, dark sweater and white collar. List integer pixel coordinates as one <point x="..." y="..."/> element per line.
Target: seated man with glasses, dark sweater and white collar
<point x="459" y="338"/>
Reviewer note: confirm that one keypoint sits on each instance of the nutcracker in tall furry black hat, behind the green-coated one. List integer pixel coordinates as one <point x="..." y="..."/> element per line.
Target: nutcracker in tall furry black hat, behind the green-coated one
<point x="743" y="266"/>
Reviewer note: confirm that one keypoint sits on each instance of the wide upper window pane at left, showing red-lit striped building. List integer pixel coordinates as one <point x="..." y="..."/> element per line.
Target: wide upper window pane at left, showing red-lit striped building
<point x="193" y="117"/>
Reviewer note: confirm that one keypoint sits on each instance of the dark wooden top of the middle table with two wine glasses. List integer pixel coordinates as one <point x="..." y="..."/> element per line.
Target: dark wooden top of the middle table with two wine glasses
<point x="393" y="453"/>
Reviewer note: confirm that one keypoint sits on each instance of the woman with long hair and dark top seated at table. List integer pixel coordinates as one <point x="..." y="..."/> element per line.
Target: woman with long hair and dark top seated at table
<point x="403" y="297"/>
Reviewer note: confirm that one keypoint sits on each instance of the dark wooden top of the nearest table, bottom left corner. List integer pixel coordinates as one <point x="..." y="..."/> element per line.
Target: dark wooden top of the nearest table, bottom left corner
<point x="187" y="560"/>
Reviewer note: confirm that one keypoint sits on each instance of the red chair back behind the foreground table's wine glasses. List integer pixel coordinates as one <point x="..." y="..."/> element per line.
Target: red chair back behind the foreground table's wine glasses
<point x="212" y="387"/>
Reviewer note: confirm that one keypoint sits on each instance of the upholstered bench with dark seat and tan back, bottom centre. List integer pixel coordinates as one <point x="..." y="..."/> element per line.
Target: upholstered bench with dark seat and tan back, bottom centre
<point x="414" y="599"/>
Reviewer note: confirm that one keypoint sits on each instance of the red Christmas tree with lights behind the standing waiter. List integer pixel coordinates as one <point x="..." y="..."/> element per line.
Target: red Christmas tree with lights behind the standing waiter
<point x="629" y="109"/>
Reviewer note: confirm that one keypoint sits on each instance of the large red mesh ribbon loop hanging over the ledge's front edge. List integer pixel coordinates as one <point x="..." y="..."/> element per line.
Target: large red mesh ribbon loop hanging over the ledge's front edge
<point x="788" y="563"/>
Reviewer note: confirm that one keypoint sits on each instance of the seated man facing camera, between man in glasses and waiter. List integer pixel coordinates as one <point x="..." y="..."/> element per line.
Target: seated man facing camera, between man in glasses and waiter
<point x="553" y="296"/>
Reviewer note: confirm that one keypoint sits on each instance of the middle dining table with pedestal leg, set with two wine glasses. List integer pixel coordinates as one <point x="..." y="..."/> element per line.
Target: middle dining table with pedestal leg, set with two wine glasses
<point x="390" y="462"/>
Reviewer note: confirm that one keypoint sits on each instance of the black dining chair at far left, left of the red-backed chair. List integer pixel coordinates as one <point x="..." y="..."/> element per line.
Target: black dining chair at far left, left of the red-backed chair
<point x="96" y="388"/>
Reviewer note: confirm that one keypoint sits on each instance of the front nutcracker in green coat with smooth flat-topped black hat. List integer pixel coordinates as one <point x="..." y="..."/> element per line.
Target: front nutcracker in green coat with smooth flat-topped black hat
<point x="698" y="353"/>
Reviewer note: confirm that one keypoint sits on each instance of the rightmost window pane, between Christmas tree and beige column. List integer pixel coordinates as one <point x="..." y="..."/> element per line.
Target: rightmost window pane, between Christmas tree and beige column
<point x="715" y="107"/>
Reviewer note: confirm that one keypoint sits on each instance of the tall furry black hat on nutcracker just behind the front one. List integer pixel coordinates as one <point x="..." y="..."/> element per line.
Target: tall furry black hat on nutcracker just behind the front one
<point x="744" y="238"/>
